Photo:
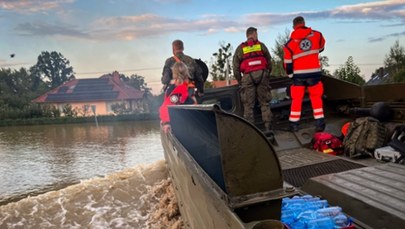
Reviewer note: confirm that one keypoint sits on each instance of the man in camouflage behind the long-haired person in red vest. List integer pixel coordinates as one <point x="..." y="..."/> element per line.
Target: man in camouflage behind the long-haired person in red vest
<point x="194" y="69"/>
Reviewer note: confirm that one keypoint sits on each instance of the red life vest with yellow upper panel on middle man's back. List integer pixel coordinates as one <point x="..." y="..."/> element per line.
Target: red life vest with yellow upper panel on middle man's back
<point x="253" y="57"/>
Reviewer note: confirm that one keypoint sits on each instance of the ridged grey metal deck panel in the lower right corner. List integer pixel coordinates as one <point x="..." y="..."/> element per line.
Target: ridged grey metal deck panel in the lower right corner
<point x="375" y="195"/>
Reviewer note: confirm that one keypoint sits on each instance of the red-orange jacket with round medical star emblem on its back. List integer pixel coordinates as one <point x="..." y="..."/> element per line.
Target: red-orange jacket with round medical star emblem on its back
<point x="301" y="53"/>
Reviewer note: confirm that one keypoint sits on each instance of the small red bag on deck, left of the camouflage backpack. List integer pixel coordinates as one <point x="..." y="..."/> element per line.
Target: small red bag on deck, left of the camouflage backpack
<point x="327" y="143"/>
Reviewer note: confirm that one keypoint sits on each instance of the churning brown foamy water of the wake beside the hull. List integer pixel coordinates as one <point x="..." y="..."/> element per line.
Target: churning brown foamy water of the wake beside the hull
<point x="139" y="197"/>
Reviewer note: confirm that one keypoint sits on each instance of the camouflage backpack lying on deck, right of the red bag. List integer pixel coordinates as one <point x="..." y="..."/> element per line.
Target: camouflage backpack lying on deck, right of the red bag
<point x="365" y="135"/>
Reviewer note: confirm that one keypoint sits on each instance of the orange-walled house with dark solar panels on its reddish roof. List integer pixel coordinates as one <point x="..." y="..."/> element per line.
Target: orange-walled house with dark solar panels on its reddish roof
<point x="95" y="96"/>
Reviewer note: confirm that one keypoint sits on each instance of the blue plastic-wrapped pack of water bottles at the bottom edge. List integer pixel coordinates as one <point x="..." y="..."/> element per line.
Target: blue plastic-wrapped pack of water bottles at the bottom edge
<point x="308" y="212"/>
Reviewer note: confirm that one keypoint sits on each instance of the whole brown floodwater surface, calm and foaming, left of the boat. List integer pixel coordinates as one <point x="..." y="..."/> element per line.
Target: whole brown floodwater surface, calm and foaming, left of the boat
<point x="83" y="176"/>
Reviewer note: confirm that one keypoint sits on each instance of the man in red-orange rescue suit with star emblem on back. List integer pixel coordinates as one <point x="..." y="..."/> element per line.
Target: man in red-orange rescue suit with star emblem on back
<point x="301" y="62"/>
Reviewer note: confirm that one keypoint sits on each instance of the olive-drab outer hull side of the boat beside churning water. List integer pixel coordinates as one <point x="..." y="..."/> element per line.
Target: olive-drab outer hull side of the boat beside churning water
<point x="202" y="203"/>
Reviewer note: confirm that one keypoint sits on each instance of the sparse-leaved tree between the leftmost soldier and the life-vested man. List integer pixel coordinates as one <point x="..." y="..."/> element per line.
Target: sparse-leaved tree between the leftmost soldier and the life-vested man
<point x="221" y="67"/>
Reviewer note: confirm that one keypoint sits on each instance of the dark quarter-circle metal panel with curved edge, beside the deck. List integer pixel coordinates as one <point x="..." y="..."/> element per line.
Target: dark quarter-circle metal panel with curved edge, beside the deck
<point x="250" y="164"/>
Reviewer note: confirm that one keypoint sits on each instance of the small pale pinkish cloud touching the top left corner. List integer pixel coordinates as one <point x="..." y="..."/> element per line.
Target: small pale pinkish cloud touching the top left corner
<point x="32" y="6"/>
